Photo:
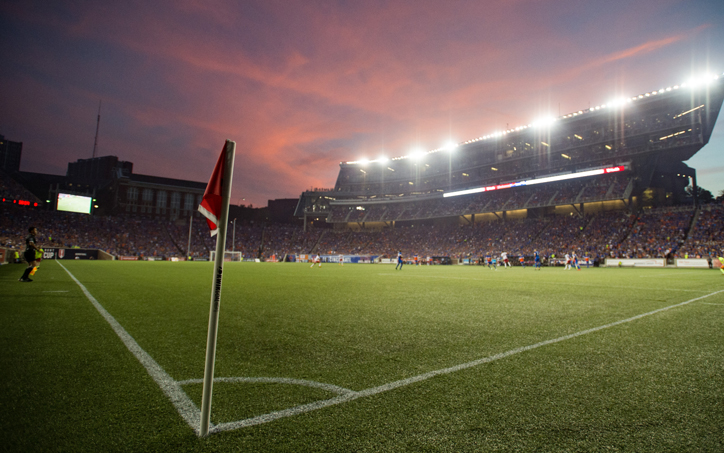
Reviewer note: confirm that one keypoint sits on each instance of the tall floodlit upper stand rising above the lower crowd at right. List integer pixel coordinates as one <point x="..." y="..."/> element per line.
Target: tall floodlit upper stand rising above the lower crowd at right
<point x="627" y="154"/>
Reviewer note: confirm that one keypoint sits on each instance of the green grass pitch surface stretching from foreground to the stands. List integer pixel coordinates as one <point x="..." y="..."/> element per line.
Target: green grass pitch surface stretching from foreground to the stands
<point x="656" y="384"/>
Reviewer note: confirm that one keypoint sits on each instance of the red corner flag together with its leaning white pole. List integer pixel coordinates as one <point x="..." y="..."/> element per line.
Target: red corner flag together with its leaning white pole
<point x="215" y="207"/>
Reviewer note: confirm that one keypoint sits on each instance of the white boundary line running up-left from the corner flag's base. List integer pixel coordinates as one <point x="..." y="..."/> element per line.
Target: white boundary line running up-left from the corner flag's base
<point x="185" y="407"/>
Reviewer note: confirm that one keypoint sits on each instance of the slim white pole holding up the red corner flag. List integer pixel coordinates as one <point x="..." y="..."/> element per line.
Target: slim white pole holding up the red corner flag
<point x="229" y="150"/>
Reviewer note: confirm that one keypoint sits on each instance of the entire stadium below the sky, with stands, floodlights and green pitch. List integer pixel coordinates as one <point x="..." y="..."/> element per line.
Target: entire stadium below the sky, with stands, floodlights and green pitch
<point x="107" y="355"/>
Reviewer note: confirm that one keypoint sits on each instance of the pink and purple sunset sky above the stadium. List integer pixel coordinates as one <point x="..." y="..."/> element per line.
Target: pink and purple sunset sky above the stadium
<point x="303" y="85"/>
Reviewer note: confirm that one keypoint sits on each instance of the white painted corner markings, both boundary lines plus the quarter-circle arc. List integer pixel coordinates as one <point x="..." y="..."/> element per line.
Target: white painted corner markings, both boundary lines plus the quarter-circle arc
<point x="189" y="412"/>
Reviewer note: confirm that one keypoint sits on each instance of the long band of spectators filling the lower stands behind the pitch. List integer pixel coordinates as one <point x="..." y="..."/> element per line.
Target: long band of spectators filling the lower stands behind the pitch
<point x="656" y="233"/>
